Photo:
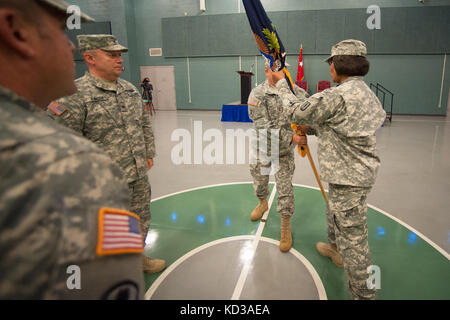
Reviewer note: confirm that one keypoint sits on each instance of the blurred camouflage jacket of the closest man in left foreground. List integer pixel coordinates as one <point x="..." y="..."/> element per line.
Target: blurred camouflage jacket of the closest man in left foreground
<point x="52" y="186"/>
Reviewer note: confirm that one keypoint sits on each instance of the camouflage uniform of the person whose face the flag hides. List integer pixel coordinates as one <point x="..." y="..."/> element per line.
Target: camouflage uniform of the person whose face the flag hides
<point x="265" y="109"/>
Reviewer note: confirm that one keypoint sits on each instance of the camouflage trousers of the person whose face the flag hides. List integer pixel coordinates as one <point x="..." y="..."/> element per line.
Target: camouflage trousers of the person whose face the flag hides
<point x="283" y="179"/>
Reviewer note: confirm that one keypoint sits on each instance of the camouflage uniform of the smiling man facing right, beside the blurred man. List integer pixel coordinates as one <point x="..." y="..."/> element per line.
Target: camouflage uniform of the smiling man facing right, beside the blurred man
<point x="112" y="115"/>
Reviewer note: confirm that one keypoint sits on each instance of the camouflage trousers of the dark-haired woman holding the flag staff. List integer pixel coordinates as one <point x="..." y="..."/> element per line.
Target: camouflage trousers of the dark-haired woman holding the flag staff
<point x="347" y="229"/>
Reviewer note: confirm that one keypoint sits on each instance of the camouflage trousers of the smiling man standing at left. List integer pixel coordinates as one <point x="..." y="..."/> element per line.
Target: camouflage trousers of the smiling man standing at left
<point x="140" y="192"/>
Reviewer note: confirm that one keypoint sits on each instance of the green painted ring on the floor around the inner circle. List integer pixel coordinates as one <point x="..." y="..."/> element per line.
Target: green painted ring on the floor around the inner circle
<point x="410" y="267"/>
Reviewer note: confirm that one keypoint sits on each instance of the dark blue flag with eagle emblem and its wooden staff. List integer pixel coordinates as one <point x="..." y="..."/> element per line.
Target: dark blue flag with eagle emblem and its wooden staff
<point x="271" y="47"/>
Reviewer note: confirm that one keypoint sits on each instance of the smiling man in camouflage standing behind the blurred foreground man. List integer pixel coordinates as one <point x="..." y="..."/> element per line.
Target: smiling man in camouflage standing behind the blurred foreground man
<point x="109" y="111"/>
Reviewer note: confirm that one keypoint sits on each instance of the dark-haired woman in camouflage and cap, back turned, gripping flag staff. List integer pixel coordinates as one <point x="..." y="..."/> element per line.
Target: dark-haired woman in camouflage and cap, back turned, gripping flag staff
<point x="346" y="118"/>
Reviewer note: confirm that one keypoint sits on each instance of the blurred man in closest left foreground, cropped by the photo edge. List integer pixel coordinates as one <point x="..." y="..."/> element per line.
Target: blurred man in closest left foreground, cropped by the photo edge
<point x="54" y="185"/>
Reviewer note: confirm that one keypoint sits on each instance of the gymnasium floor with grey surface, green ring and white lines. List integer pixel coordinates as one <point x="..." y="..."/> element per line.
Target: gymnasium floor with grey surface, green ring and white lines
<point x="201" y="225"/>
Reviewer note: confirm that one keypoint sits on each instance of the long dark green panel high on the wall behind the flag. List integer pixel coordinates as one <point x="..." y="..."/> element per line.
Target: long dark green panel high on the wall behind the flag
<point x="317" y="30"/>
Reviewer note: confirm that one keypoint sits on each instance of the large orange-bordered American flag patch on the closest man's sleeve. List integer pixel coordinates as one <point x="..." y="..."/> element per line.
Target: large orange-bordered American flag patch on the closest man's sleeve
<point x="118" y="232"/>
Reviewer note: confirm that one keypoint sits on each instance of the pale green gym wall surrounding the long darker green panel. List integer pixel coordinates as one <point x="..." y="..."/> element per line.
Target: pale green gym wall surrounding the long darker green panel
<point x="414" y="79"/>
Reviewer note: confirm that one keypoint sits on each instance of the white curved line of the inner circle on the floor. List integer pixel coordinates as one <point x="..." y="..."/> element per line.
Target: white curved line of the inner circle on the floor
<point x="317" y="281"/>
